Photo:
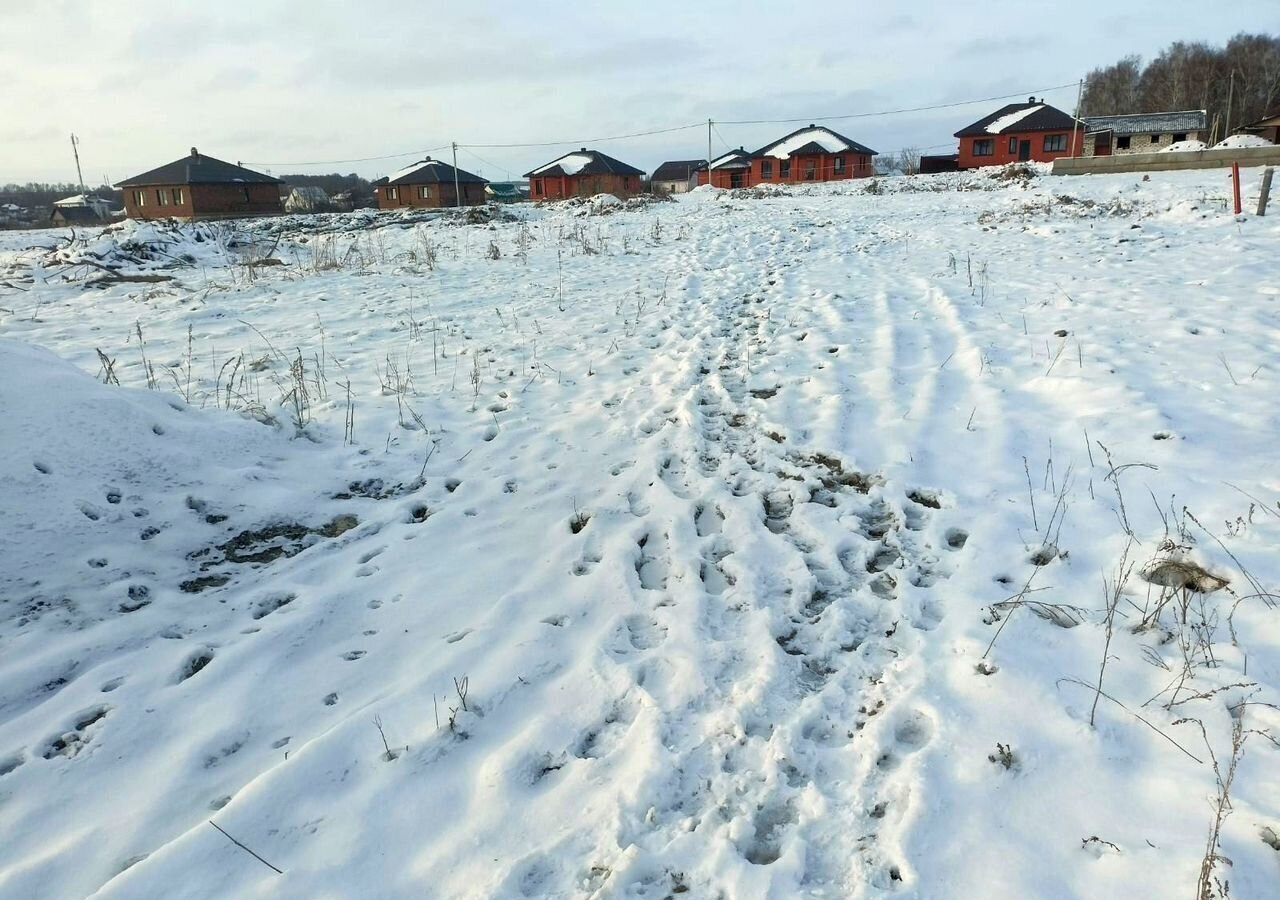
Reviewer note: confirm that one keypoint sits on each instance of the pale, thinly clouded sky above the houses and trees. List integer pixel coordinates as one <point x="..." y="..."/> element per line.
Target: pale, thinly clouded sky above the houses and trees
<point x="280" y="84"/>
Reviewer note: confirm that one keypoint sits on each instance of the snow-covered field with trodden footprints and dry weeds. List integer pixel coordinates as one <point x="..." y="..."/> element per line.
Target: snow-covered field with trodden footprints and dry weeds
<point x="749" y="546"/>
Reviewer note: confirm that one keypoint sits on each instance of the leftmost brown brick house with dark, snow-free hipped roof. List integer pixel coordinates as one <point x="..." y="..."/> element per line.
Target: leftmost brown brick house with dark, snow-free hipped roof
<point x="200" y="188"/>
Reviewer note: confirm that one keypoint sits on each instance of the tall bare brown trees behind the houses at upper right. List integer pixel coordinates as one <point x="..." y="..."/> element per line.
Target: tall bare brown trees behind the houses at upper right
<point x="1246" y="72"/>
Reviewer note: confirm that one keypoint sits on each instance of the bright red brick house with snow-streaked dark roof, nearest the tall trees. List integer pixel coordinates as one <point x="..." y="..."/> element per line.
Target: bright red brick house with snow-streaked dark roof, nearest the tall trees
<point x="1018" y="134"/>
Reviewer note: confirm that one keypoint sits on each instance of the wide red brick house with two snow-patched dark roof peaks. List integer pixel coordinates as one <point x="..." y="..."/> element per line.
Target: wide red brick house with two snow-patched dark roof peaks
<point x="811" y="154"/>
